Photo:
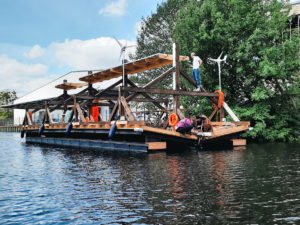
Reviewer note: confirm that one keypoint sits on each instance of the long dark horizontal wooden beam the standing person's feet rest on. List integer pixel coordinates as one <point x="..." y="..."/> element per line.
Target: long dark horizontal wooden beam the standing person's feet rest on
<point x="170" y="92"/>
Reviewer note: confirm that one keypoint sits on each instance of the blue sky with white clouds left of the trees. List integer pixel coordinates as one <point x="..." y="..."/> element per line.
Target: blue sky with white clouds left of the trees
<point x="41" y="40"/>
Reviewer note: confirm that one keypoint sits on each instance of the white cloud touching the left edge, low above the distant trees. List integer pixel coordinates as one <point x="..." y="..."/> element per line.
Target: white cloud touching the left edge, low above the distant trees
<point x="21" y="77"/>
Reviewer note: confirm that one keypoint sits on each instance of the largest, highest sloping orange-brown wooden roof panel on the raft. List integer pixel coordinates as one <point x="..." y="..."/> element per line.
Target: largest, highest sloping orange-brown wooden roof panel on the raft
<point x="148" y="63"/>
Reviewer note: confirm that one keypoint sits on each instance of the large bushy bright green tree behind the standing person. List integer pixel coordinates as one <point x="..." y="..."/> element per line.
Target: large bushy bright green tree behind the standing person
<point x="261" y="79"/>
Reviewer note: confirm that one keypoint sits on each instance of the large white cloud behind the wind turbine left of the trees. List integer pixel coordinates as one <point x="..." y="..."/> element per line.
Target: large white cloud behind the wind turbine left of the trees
<point x="99" y="53"/>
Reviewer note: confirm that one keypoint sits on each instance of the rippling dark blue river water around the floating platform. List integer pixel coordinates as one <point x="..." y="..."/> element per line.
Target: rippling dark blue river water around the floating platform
<point x="44" y="185"/>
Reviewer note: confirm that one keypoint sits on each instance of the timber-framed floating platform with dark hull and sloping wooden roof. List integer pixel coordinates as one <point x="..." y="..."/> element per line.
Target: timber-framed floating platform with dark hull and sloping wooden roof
<point x="81" y="129"/>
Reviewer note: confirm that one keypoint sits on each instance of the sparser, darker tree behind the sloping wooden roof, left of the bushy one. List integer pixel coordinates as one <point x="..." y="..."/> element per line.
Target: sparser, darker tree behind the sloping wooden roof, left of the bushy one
<point x="155" y="36"/>
